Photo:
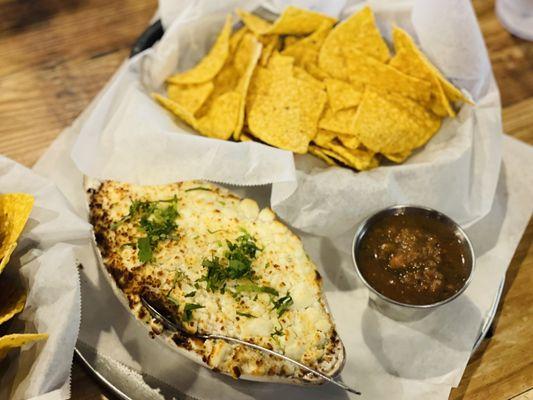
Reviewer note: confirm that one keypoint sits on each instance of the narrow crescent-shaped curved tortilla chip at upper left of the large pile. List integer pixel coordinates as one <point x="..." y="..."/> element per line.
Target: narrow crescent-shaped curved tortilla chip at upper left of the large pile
<point x="211" y="64"/>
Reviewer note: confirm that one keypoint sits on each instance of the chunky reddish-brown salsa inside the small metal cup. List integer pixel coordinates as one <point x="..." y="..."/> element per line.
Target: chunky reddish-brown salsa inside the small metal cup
<point x="413" y="258"/>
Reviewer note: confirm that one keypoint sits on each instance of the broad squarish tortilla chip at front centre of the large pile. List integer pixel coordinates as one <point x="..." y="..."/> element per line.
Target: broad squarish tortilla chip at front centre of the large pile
<point x="285" y="112"/>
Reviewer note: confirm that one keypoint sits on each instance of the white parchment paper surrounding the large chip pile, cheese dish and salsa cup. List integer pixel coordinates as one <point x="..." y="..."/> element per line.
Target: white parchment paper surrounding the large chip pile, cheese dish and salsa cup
<point x="124" y="136"/>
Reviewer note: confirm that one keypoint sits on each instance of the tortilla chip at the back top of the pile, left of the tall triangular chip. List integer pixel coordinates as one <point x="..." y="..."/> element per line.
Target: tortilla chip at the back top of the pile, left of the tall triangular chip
<point x="297" y="21"/>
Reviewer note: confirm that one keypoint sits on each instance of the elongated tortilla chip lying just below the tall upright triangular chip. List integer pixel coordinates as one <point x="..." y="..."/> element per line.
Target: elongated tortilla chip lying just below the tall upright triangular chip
<point x="354" y="66"/>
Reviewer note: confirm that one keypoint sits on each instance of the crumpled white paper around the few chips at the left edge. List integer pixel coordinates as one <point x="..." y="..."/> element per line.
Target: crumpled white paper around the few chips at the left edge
<point x="49" y="271"/>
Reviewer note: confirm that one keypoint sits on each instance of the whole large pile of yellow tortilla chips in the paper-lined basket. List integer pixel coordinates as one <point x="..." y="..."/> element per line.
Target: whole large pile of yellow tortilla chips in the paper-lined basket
<point x="311" y="84"/>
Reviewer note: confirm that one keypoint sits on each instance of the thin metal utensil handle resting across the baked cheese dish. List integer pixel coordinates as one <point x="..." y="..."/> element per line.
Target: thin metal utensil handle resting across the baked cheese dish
<point x="178" y="328"/>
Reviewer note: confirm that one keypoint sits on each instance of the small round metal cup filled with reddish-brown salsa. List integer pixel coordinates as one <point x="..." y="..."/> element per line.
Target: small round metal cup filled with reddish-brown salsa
<point x="412" y="259"/>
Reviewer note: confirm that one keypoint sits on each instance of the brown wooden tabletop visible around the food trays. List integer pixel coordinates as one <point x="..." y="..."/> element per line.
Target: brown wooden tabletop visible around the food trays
<point x="56" y="55"/>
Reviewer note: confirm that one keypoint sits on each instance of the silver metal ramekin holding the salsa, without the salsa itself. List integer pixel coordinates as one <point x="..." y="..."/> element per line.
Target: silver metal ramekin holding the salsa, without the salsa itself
<point x="392" y="308"/>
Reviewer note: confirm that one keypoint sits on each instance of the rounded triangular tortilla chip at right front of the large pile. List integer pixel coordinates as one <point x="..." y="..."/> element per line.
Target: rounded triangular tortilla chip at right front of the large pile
<point x="393" y="124"/>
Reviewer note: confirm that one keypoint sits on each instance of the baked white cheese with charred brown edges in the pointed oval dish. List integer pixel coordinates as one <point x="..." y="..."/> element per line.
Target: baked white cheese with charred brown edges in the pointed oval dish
<point x="210" y="219"/>
